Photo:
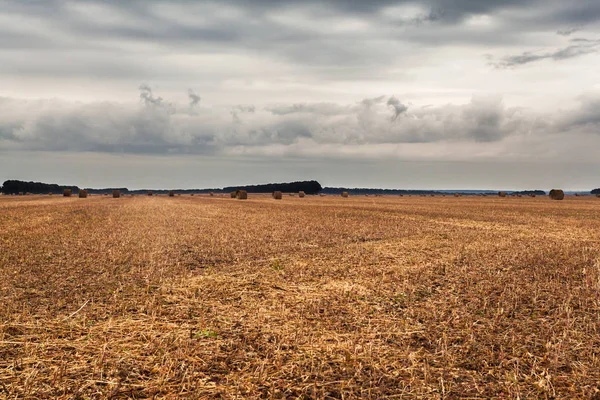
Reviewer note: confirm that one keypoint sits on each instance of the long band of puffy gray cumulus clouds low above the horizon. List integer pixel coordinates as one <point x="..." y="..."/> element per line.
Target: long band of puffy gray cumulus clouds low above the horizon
<point x="150" y="128"/>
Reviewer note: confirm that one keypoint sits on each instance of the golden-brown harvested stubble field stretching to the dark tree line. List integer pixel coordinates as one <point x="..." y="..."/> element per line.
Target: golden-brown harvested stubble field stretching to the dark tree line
<point x="321" y="297"/>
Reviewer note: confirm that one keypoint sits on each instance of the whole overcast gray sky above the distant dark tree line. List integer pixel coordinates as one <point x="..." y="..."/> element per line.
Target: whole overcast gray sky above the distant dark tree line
<point x="380" y="93"/>
